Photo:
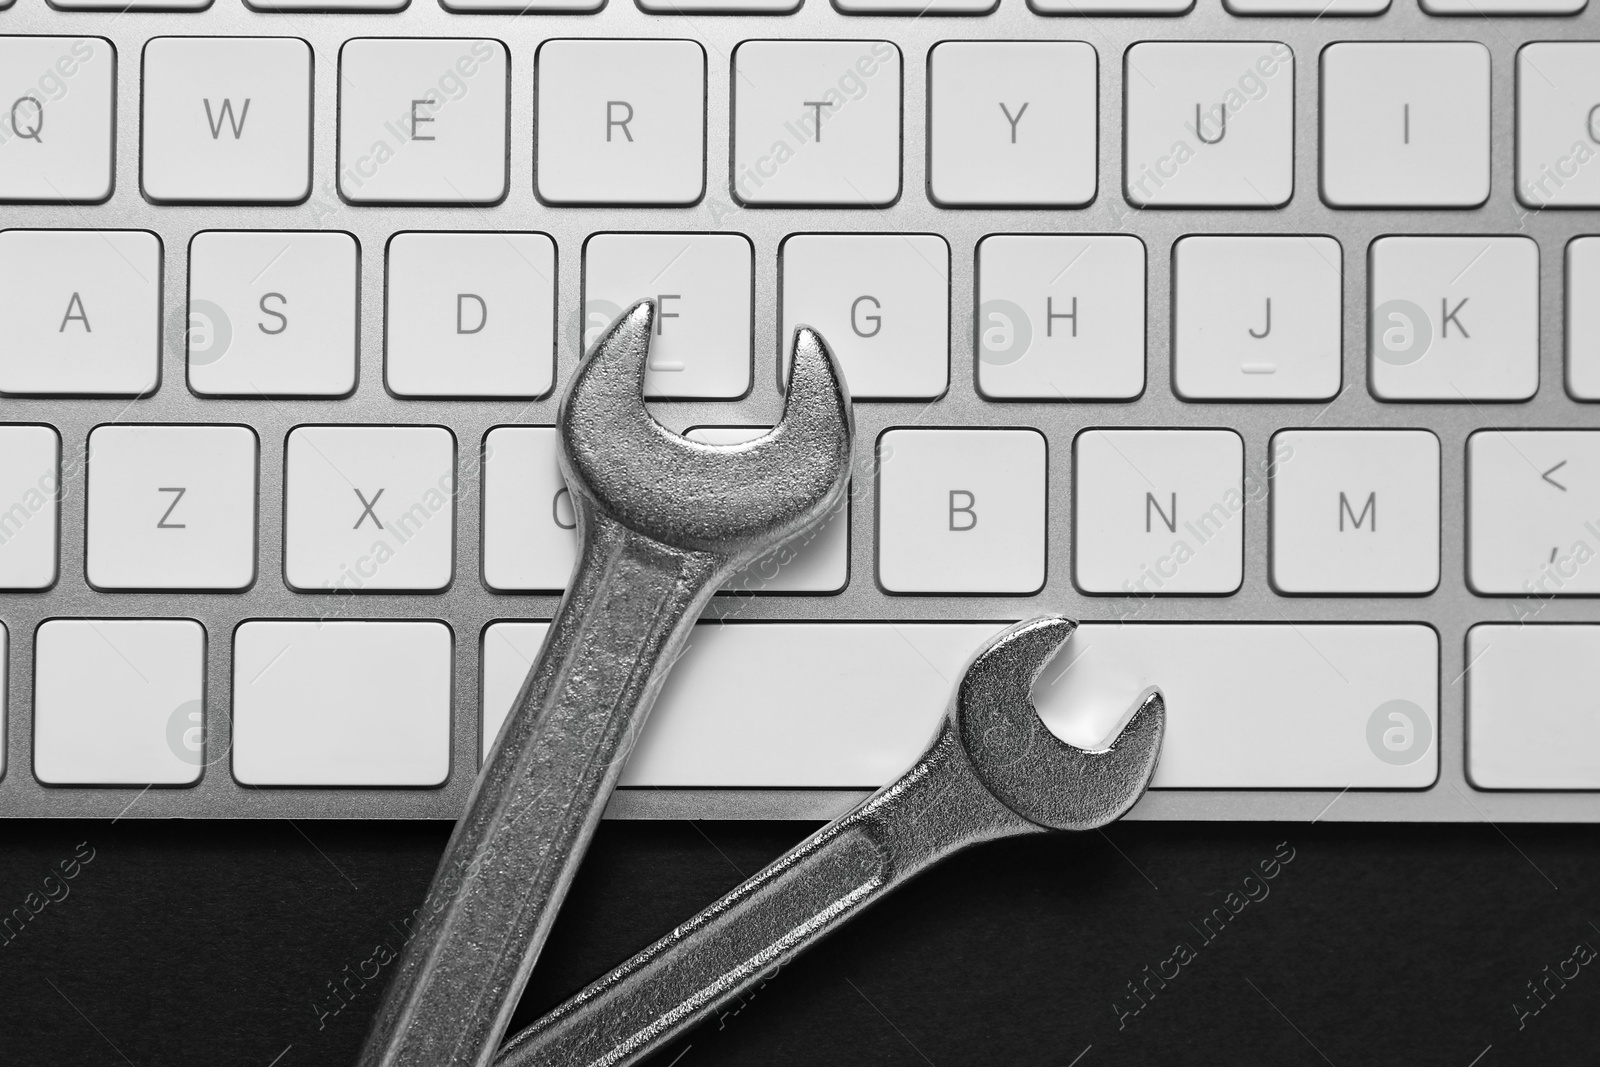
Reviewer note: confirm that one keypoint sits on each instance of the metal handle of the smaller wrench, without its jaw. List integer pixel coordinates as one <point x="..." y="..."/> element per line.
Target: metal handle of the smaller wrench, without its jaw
<point x="740" y="941"/>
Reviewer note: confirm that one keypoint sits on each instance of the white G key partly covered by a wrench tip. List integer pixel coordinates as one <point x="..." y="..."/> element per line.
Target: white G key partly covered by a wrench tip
<point x="881" y="300"/>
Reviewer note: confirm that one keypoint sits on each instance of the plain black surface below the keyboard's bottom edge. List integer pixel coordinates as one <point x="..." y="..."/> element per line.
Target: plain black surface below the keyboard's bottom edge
<point x="215" y="943"/>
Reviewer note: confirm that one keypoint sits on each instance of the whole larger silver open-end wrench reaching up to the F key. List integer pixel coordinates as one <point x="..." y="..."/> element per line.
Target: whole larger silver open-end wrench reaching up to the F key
<point x="663" y="522"/>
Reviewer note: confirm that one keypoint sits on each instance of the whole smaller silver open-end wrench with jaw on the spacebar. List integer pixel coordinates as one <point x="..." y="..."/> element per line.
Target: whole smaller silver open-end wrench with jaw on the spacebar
<point x="994" y="770"/>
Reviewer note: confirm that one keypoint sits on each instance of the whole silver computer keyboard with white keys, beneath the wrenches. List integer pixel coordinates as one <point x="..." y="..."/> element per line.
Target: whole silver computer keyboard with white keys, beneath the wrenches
<point x="1260" y="335"/>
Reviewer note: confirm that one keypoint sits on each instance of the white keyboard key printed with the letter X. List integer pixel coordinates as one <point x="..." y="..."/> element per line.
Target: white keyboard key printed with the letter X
<point x="369" y="508"/>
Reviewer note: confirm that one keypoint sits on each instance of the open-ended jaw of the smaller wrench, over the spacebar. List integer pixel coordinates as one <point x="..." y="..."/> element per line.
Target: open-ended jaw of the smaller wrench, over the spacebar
<point x="1028" y="769"/>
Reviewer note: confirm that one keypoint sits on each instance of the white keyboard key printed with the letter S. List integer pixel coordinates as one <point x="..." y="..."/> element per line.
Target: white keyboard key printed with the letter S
<point x="273" y="314"/>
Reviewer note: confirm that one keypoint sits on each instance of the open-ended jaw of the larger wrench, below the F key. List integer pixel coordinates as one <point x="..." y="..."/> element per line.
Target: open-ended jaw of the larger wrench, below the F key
<point x="734" y="502"/>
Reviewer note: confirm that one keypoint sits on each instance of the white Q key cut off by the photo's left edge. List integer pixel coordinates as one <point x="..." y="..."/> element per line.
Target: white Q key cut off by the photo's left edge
<point x="57" y="138"/>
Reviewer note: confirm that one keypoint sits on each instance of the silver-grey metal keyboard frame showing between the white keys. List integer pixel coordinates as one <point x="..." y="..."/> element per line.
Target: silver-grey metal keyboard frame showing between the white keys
<point x="470" y="607"/>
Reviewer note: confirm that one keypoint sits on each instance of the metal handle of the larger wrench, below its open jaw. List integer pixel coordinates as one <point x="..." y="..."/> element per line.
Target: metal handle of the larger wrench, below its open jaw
<point x="534" y="810"/>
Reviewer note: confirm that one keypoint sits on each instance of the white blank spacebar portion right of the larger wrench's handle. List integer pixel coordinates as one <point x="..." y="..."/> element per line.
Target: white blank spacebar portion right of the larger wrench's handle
<point x="852" y="705"/>
